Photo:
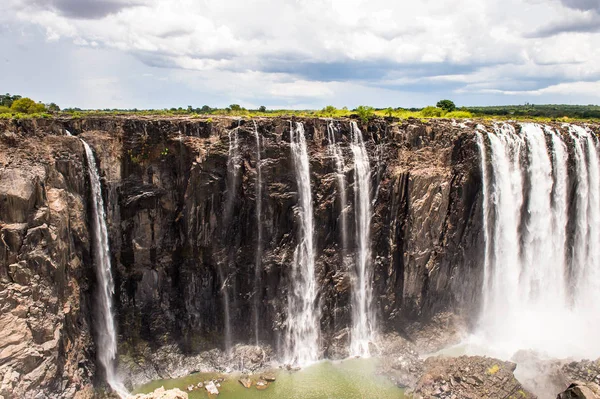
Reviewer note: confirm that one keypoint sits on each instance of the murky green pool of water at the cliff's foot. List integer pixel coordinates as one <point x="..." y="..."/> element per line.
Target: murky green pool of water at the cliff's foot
<point x="349" y="379"/>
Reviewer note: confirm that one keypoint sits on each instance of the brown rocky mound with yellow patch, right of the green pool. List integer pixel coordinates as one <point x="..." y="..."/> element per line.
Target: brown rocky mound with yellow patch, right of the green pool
<point x="468" y="377"/>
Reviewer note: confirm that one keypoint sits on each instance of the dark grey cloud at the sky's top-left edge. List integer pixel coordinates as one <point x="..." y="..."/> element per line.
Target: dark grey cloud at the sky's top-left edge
<point x="86" y="9"/>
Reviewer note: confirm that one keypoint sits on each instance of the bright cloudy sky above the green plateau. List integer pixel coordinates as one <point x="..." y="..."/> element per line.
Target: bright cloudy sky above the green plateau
<point x="302" y="54"/>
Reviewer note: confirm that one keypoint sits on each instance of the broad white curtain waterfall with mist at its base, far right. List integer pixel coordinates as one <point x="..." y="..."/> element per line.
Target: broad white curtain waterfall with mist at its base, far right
<point x="541" y="204"/>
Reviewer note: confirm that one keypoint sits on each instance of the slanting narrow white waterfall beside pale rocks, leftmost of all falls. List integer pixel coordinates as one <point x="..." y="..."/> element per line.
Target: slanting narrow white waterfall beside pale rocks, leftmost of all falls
<point x="106" y="340"/>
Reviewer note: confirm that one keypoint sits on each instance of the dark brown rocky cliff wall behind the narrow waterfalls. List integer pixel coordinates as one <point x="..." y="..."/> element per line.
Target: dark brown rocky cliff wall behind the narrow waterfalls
<point x="182" y="236"/>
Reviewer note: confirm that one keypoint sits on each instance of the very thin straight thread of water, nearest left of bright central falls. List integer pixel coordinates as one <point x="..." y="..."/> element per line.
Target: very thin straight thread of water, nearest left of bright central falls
<point x="258" y="260"/>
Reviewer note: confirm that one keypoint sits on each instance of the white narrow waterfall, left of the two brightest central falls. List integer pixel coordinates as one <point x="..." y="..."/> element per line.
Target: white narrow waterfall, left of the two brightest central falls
<point x="302" y="335"/>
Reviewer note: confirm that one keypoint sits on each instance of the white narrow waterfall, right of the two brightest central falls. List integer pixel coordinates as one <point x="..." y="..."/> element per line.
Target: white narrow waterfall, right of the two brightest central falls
<point x="362" y="294"/>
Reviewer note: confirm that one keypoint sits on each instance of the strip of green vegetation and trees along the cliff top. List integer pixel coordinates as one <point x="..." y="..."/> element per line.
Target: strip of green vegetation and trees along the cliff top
<point x="14" y="106"/>
